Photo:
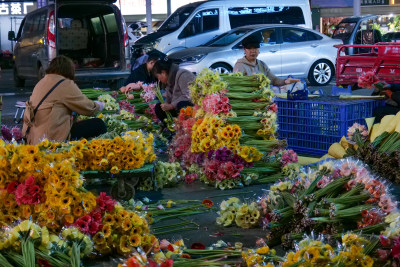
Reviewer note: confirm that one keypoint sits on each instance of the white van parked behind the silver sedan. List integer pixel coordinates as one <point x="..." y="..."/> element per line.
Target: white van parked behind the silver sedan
<point x="197" y="23"/>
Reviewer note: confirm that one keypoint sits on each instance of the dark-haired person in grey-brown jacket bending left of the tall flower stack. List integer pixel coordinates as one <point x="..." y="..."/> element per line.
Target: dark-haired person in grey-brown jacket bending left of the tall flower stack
<point x="176" y="82"/>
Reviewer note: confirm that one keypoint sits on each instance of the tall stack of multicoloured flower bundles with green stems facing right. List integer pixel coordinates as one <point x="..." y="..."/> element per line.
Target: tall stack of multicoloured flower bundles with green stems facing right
<point x="225" y="143"/>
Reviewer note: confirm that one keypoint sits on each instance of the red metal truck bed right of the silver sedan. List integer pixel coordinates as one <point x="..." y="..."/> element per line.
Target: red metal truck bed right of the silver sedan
<point x="381" y="58"/>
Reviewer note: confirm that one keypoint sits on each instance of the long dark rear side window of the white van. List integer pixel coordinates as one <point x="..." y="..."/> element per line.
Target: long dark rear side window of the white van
<point x="240" y="16"/>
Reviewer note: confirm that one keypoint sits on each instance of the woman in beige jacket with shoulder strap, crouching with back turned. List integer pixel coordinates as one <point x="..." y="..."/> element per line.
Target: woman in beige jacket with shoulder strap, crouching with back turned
<point x="53" y="119"/>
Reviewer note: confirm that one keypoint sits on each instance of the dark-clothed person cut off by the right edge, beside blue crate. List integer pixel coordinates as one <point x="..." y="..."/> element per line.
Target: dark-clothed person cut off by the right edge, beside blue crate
<point x="392" y="92"/>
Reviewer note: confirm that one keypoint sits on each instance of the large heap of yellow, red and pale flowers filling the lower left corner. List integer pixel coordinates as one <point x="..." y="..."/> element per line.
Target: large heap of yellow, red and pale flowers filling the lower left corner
<point x="62" y="219"/>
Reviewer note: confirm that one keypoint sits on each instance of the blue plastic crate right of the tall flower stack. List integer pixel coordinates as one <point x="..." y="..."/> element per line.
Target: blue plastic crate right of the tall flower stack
<point x="311" y="126"/>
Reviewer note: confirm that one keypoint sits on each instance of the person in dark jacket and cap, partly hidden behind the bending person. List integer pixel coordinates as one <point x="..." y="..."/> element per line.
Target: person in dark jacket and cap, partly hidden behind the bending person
<point x="143" y="72"/>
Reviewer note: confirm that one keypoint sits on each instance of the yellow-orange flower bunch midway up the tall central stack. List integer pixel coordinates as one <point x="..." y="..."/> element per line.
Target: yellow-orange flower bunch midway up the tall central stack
<point x="211" y="133"/>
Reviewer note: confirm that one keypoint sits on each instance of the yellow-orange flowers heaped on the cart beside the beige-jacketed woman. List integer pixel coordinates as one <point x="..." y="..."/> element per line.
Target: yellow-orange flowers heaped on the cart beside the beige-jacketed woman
<point x="130" y="151"/>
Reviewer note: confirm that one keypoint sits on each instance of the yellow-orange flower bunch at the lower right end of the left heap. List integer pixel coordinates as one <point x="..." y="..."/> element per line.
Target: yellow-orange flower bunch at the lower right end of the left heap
<point x="123" y="231"/>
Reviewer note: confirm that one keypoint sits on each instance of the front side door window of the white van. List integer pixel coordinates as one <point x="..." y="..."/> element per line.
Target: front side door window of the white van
<point x="204" y="21"/>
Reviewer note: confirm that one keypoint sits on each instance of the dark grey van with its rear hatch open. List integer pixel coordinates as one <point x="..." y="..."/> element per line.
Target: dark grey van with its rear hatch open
<point x="92" y="33"/>
